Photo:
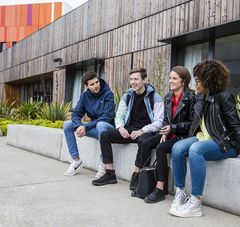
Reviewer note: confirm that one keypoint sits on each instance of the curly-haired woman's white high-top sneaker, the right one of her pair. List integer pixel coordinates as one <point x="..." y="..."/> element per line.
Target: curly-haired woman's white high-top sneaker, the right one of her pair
<point x="190" y="209"/>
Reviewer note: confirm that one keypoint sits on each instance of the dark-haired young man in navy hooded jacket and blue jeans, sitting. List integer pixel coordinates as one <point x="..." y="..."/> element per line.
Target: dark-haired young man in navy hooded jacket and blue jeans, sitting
<point x="97" y="102"/>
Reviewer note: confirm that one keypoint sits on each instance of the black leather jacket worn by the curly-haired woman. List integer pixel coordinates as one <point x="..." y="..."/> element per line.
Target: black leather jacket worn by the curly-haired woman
<point x="221" y="119"/>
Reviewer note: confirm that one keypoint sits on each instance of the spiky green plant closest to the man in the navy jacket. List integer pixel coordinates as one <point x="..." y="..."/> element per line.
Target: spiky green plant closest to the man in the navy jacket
<point x="55" y="111"/>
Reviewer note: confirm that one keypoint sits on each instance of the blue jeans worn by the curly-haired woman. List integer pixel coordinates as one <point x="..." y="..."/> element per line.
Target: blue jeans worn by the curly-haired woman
<point x="198" y="152"/>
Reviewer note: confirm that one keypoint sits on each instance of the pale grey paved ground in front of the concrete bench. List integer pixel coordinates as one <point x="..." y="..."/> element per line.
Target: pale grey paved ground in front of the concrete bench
<point x="34" y="192"/>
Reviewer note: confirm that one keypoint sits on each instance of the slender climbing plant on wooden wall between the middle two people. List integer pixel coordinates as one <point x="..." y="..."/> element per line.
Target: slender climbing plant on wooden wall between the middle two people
<point x="158" y="75"/>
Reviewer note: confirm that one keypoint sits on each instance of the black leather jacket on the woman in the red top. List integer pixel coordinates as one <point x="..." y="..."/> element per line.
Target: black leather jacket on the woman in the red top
<point x="183" y="117"/>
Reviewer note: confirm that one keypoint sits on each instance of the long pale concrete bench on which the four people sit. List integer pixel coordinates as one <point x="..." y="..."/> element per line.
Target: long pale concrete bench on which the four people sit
<point x="222" y="181"/>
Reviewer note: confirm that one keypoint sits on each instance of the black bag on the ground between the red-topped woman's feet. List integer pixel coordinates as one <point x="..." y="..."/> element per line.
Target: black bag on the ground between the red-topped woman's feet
<point x="146" y="181"/>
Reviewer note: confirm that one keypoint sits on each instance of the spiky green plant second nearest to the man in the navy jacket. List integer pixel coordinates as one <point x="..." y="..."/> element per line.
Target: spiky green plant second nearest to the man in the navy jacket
<point x="28" y="110"/>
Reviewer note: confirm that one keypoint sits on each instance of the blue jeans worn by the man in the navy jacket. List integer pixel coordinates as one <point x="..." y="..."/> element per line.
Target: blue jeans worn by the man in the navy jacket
<point x="93" y="133"/>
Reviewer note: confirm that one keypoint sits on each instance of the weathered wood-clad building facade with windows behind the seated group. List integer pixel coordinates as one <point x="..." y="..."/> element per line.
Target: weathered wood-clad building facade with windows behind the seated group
<point x="111" y="37"/>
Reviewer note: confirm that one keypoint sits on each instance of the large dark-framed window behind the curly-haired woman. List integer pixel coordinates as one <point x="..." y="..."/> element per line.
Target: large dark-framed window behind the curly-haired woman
<point x="225" y="49"/>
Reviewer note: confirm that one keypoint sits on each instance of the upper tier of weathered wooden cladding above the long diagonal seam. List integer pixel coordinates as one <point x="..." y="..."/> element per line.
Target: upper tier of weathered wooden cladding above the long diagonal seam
<point x="93" y="18"/>
